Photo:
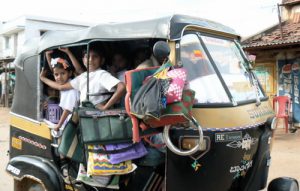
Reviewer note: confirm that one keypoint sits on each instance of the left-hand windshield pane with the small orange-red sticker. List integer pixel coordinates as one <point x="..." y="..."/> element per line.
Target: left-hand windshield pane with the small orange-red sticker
<point x="201" y="76"/>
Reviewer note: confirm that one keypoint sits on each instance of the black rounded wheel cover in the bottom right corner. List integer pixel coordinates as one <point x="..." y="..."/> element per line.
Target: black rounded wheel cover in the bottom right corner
<point x="283" y="184"/>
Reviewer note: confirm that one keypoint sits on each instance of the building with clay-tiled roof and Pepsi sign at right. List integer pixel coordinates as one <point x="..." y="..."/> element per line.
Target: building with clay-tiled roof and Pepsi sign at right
<point x="277" y="51"/>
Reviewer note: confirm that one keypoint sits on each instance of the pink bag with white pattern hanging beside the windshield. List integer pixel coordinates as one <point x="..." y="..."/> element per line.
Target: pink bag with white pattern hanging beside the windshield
<point x="178" y="77"/>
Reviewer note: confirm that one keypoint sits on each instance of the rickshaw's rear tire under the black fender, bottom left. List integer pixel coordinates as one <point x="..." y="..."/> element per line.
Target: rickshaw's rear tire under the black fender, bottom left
<point x="27" y="184"/>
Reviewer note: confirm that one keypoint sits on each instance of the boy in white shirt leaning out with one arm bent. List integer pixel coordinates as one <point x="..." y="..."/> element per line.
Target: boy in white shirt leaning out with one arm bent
<point x="100" y="81"/>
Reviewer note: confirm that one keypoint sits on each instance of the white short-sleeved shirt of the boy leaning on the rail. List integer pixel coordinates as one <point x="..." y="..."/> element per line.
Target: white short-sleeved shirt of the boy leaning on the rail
<point x="100" y="81"/>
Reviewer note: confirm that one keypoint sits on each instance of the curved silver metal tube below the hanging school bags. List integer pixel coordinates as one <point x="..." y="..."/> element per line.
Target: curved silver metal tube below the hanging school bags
<point x="177" y="151"/>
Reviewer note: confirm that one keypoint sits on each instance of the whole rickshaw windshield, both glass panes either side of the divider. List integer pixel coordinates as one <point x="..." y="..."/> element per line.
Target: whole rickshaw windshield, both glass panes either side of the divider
<point x="199" y="53"/>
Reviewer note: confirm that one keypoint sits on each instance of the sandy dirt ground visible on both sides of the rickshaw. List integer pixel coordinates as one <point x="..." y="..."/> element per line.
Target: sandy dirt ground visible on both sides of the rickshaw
<point x="285" y="153"/>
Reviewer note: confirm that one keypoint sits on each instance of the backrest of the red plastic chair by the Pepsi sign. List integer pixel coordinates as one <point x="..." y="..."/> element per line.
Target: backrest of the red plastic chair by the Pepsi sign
<point x="283" y="105"/>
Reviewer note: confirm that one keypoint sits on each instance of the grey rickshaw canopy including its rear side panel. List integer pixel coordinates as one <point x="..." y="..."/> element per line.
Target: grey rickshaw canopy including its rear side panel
<point x="168" y="28"/>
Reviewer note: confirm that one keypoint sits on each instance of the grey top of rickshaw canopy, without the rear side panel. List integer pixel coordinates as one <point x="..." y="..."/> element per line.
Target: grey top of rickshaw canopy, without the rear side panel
<point x="169" y="28"/>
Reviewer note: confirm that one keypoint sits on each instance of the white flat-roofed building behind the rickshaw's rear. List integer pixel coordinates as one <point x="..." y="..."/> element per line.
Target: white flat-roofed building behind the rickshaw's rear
<point x="15" y="32"/>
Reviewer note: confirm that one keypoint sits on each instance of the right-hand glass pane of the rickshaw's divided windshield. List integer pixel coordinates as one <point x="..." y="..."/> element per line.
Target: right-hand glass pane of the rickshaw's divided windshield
<point x="230" y="63"/>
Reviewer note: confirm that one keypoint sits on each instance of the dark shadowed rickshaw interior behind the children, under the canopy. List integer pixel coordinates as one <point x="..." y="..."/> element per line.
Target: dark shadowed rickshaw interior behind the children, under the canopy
<point x="129" y="53"/>
